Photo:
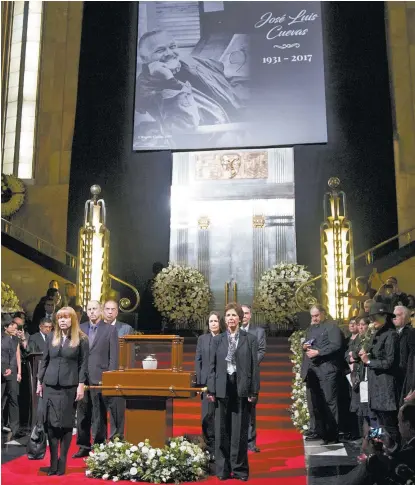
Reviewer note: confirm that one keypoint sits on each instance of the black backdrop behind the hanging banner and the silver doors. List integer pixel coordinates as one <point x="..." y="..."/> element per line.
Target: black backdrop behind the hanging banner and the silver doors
<point x="136" y="186"/>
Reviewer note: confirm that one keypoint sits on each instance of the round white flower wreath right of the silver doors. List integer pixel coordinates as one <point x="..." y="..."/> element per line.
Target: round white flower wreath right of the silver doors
<point x="276" y="291"/>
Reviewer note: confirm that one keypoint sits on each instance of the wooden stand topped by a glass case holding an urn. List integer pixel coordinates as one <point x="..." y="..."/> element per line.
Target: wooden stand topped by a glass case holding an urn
<point x="149" y="377"/>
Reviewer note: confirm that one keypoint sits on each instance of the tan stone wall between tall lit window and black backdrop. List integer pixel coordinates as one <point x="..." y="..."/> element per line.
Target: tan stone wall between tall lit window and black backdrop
<point x="44" y="212"/>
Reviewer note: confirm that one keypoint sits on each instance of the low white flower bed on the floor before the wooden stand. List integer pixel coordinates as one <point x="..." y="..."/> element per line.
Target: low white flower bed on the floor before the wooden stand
<point x="179" y="461"/>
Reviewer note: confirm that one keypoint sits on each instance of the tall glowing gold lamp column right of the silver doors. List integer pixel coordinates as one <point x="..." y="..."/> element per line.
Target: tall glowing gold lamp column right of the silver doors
<point x="337" y="268"/>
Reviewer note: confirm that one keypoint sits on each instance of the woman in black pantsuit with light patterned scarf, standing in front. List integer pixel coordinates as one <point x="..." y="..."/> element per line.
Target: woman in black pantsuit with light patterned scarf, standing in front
<point x="233" y="383"/>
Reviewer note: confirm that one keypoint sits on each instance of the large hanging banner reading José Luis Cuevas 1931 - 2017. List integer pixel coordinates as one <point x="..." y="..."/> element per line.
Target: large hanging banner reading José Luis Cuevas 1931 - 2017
<point x="214" y="75"/>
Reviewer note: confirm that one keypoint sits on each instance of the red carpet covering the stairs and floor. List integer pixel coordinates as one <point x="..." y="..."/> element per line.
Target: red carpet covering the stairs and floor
<point x="281" y="461"/>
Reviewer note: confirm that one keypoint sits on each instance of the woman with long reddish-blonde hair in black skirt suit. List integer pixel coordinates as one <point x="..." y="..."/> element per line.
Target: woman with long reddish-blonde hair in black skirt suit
<point x="61" y="378"/>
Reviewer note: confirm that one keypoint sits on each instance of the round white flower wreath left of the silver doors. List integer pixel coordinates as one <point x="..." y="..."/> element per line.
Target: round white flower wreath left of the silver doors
<point x="181" y="293"/>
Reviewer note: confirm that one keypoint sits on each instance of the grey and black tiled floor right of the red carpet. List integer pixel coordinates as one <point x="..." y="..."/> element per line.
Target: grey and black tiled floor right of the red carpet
<point x="327" y="465"/>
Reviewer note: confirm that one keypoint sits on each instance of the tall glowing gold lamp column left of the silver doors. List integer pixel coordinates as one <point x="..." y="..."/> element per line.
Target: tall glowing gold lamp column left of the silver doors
<point x="93" y="251"/>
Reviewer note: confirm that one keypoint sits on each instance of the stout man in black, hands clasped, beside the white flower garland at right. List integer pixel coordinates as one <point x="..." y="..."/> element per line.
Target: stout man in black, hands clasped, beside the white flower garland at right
<point x="322" y="362"/>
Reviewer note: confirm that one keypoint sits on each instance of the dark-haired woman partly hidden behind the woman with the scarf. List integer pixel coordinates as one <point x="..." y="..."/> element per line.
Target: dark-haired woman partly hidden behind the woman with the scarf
<point x="214" y="326"/>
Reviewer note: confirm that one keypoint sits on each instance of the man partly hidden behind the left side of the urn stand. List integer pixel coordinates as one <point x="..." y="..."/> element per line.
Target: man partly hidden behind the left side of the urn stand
<point x="116" y="403"/>
